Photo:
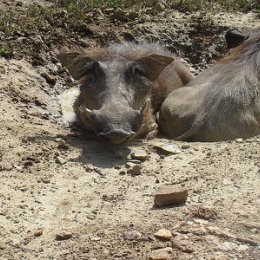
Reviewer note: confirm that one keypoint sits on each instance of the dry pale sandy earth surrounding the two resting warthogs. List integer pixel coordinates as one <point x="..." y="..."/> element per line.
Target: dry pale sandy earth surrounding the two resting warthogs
<point x="65" y="195"/>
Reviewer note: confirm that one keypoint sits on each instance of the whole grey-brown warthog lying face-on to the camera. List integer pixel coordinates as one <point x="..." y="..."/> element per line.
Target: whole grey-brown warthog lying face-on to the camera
<point x="122" y="87"/>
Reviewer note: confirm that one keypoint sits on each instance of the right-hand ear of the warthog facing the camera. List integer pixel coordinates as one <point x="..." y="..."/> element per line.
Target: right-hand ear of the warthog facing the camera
<point x="154" y="64"/>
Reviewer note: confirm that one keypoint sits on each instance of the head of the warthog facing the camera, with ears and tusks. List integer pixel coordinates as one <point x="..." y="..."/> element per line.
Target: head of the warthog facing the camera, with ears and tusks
<point x="115" y="89"/>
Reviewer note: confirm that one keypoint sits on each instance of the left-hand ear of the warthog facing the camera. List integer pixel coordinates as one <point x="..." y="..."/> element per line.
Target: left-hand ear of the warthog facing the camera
<point x="77" y="63"/>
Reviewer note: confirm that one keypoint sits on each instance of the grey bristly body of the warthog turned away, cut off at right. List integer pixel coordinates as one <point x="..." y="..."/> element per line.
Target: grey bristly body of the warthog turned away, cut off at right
<point x="221" y="103"/>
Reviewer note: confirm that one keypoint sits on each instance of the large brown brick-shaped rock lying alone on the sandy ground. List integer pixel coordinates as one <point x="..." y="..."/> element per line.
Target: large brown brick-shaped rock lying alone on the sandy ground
<point x="170" y="195"/>
